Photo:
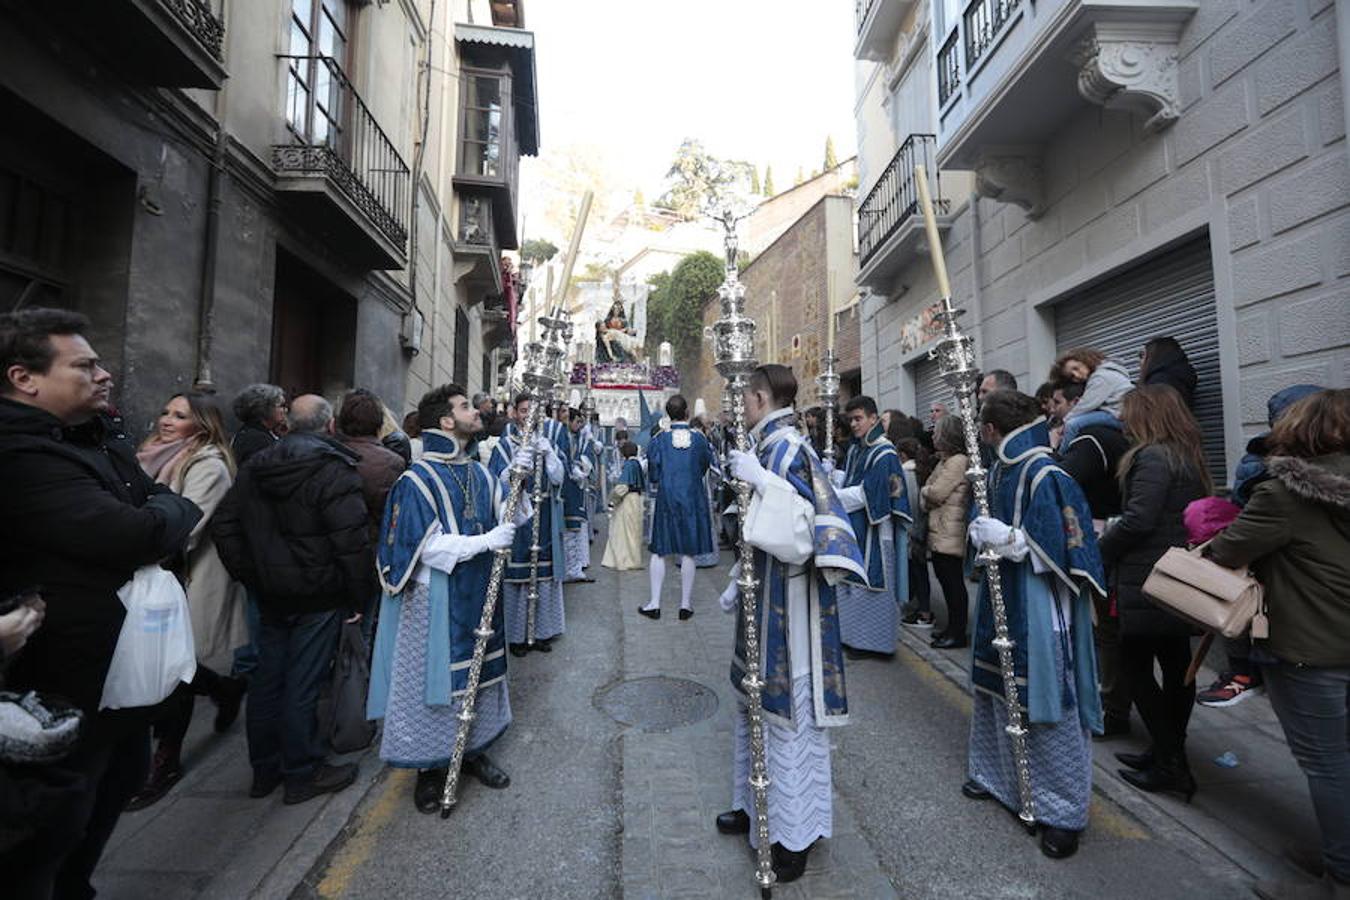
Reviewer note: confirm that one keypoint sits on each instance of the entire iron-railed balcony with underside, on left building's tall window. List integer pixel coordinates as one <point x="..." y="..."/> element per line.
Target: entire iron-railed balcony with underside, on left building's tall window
<point x="341" y="173"/>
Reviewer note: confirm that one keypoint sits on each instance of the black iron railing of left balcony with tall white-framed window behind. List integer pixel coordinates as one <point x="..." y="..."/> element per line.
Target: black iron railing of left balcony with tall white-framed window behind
<point x="335" y="136"/>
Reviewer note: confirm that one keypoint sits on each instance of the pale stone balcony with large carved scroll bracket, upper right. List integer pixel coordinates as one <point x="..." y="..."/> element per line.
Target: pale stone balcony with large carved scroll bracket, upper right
<point x="1012" y="72"/>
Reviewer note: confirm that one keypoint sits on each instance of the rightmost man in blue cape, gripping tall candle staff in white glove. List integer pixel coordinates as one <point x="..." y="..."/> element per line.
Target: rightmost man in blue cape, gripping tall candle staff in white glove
<point x="1042" y="530"/>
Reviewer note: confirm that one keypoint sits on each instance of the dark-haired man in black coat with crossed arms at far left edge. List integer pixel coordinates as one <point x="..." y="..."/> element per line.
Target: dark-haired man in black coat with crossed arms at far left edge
<point x="79" y="519"/>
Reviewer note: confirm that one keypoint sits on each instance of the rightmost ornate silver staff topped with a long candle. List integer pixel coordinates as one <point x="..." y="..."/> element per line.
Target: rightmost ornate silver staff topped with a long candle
<point x="955" y="356"/>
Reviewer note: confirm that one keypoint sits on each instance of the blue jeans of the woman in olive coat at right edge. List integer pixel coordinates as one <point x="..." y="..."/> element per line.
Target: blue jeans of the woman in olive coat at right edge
<point x="1314" y="709"/>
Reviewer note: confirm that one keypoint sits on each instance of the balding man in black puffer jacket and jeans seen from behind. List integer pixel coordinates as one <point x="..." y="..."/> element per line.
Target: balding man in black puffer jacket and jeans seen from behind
<point x="294" y="530"/>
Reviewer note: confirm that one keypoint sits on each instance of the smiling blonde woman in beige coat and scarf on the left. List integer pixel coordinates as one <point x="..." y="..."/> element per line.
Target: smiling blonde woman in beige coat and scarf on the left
<point x="190" y="451"/>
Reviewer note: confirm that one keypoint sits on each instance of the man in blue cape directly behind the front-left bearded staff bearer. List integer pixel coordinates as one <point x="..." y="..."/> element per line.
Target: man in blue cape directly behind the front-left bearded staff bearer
<point x="550" y="620"/>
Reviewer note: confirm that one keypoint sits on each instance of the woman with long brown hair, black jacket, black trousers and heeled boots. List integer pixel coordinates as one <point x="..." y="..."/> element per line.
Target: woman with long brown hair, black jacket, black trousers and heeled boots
<point x="1162" y="473"/>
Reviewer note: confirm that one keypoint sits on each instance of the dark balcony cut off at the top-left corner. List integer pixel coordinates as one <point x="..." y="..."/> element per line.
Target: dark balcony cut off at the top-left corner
<point x="168" y="44"/>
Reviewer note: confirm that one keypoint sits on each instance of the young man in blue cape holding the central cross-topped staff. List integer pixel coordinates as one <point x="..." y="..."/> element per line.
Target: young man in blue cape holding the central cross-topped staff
<point x="804" y="547"/>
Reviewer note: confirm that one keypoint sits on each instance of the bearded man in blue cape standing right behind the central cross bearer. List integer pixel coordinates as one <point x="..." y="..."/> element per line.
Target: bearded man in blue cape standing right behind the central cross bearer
<point x="880" y="509"/>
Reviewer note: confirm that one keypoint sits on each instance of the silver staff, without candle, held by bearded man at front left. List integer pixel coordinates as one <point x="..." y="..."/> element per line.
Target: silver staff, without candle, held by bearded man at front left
<point x="538" y="373"/>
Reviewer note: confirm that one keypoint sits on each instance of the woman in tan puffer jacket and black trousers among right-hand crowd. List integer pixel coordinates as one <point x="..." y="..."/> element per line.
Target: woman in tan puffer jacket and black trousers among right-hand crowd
<point x="947" y="496"/>
